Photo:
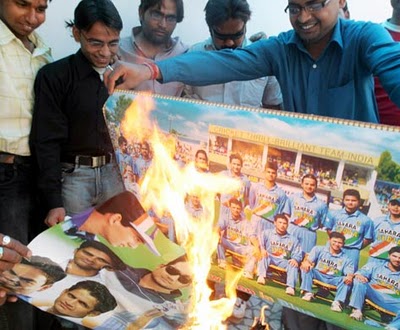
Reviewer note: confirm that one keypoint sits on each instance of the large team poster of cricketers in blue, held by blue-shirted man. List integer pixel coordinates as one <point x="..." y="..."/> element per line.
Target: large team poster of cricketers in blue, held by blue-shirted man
<point x="315" y="221"/>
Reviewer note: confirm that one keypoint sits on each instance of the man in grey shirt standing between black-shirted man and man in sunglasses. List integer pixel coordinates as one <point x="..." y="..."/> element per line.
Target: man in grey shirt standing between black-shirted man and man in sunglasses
<point x="152" y="41"/>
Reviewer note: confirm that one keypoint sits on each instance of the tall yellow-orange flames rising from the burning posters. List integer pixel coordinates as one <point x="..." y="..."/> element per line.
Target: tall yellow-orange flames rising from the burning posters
<point x="165" y="188"/>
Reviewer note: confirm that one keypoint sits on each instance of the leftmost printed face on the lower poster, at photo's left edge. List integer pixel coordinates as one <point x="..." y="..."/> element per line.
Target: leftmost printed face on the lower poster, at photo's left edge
<point x="23" y="279"/>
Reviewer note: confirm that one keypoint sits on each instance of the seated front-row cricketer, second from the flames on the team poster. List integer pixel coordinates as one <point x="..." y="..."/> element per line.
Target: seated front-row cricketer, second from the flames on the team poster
<point x="281" y="249"/>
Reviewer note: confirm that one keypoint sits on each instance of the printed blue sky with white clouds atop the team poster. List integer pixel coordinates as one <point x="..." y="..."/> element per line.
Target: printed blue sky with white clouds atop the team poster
<point x="192" y="120"/>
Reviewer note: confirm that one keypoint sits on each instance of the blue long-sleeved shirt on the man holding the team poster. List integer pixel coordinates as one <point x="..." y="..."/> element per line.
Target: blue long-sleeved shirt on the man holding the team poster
<point x="338" y="84"/>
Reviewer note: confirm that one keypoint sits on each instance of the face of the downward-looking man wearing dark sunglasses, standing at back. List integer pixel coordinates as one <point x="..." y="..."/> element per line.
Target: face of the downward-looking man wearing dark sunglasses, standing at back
<point x="229" y="34"/>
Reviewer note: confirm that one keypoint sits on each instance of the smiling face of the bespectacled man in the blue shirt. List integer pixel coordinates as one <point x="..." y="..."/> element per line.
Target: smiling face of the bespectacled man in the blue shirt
<point x="315" y="28"/>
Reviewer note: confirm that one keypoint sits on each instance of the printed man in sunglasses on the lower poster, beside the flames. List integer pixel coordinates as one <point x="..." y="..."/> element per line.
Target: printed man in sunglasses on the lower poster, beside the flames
<point x="162" y="284"/>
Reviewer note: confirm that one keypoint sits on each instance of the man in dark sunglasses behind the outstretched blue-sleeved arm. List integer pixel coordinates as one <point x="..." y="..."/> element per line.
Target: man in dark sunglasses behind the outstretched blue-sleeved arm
<point x="226" y="20"/>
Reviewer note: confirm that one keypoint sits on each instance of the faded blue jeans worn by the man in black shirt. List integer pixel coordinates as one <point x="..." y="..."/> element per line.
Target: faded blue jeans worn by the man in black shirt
<point x="84" y="186"/>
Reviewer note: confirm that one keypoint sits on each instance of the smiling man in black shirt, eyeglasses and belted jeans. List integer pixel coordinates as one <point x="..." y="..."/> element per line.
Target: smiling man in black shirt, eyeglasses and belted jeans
<point x="69" y="137"/>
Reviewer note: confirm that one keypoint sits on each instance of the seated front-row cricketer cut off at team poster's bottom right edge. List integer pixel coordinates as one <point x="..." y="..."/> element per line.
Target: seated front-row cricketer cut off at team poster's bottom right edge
<point x="380" y="283"/>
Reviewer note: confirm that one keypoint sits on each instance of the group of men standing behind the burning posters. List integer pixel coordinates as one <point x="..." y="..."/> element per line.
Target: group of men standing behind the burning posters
<point x="68" y="148"/>
